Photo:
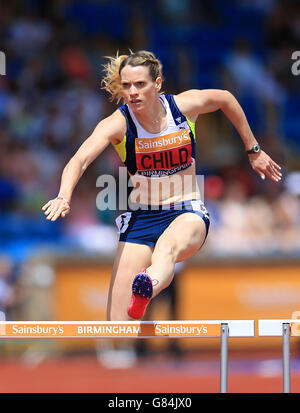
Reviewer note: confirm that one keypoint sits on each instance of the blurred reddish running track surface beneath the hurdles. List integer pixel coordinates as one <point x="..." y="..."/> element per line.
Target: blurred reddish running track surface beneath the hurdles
<point x="84" y="374"/>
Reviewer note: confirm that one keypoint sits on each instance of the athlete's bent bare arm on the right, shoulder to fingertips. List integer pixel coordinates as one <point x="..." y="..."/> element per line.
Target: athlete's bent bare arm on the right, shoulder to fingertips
<point x="195" y="102"/>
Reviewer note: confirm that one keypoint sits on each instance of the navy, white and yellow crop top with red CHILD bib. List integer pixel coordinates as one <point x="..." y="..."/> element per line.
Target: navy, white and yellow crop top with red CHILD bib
<point x="159" y="154"/>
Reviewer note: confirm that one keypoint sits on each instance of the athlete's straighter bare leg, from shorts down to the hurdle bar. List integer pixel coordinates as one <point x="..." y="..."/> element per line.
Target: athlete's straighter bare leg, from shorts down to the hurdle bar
<point x="130" y="259"/>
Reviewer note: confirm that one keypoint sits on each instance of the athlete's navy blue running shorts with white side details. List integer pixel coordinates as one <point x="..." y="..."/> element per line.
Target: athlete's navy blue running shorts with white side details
<point x="145" y="226"/>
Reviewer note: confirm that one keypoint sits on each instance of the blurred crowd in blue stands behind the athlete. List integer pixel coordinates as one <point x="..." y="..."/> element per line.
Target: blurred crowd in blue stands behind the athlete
<point x="51" y="100"/>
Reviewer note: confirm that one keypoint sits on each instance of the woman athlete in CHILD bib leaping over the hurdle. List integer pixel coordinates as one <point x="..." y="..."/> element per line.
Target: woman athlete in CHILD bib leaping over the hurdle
<point x="154" y="135"/>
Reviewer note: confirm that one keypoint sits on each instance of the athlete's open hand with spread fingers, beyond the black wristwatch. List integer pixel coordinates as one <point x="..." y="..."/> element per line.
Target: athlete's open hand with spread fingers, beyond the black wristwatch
<point x="265" y="166"/>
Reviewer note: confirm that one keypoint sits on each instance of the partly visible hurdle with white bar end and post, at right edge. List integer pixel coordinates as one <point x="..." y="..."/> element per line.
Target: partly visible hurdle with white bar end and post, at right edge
<point x="284" y="328"/>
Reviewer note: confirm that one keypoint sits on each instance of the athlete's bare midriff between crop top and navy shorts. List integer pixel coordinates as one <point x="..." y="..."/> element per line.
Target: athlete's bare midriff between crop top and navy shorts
<point x="178" y="187"/>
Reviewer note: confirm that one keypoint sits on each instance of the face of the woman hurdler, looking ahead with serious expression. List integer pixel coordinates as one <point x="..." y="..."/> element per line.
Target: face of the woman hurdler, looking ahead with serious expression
<point x="138" y="88"/>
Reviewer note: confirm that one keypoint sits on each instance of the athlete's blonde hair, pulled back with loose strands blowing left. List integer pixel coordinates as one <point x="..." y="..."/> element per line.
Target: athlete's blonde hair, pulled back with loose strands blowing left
<point x="112" y="70"/>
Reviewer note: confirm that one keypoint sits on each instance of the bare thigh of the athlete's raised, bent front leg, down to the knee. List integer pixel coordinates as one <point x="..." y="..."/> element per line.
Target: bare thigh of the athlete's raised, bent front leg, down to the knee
<point x="185" y="235"/>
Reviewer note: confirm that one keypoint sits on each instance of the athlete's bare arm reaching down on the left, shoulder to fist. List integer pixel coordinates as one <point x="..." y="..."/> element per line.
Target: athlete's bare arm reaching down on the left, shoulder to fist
<point x="110" y="130"/>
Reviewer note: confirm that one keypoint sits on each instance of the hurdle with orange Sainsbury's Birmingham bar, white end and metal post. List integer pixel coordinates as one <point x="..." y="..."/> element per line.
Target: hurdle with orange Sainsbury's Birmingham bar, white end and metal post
<point x="135" y="329"/>
